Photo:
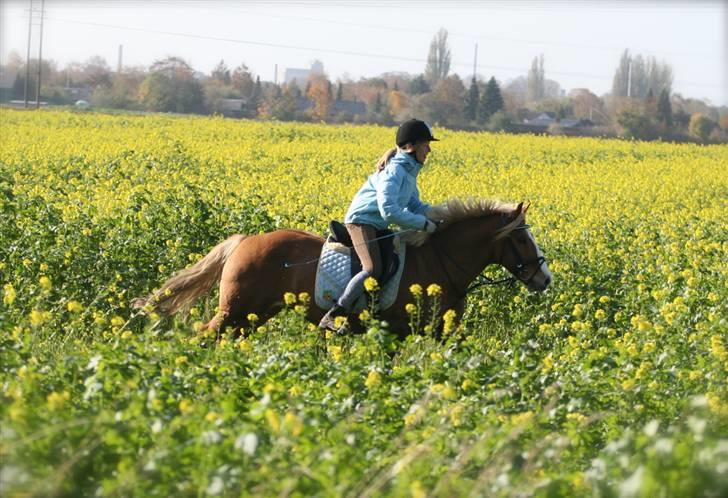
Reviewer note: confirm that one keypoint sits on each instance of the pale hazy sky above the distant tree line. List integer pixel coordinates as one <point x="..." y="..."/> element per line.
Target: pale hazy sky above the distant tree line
<point x="581" y="40"/>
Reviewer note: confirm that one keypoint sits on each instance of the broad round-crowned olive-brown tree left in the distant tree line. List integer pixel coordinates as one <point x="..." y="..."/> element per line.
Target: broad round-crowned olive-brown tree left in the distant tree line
<point x="171" y="87"/>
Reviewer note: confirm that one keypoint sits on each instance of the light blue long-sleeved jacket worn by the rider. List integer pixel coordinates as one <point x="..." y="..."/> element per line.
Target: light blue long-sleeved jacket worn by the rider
<point x="390" y="197"/>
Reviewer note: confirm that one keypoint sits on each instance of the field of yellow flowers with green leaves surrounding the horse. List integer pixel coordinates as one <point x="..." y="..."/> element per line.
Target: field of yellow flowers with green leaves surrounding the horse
<point x="613" y="383"/>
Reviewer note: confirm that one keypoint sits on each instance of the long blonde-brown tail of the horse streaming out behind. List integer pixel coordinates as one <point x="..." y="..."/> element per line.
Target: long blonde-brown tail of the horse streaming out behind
<point x="180" y="291"/>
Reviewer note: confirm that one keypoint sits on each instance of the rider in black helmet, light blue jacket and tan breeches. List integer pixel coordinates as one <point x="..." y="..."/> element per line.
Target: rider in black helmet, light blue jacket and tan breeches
<point x="389" y="196"/>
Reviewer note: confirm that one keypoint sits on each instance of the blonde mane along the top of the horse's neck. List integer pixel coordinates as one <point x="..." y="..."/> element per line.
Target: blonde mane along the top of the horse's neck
<point x="455" y="210"/>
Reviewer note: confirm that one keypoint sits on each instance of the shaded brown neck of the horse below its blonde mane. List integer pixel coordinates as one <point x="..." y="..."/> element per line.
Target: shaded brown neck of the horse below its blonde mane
<point x="469" y="247"/>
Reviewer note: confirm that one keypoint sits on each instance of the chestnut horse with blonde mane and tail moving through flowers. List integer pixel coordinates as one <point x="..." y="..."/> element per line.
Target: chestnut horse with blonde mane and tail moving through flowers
<point x="255" y="271"/>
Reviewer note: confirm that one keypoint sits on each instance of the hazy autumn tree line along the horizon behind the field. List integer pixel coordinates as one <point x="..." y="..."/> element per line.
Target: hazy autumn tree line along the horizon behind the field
<point x="641" y="104"/>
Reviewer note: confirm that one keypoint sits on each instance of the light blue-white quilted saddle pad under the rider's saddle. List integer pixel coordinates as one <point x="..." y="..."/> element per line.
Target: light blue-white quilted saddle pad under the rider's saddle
<point x="334" y="272"/>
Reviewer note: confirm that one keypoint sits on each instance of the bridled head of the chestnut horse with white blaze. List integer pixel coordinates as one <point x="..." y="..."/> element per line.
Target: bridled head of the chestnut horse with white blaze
<point x="521" y="255"/>
